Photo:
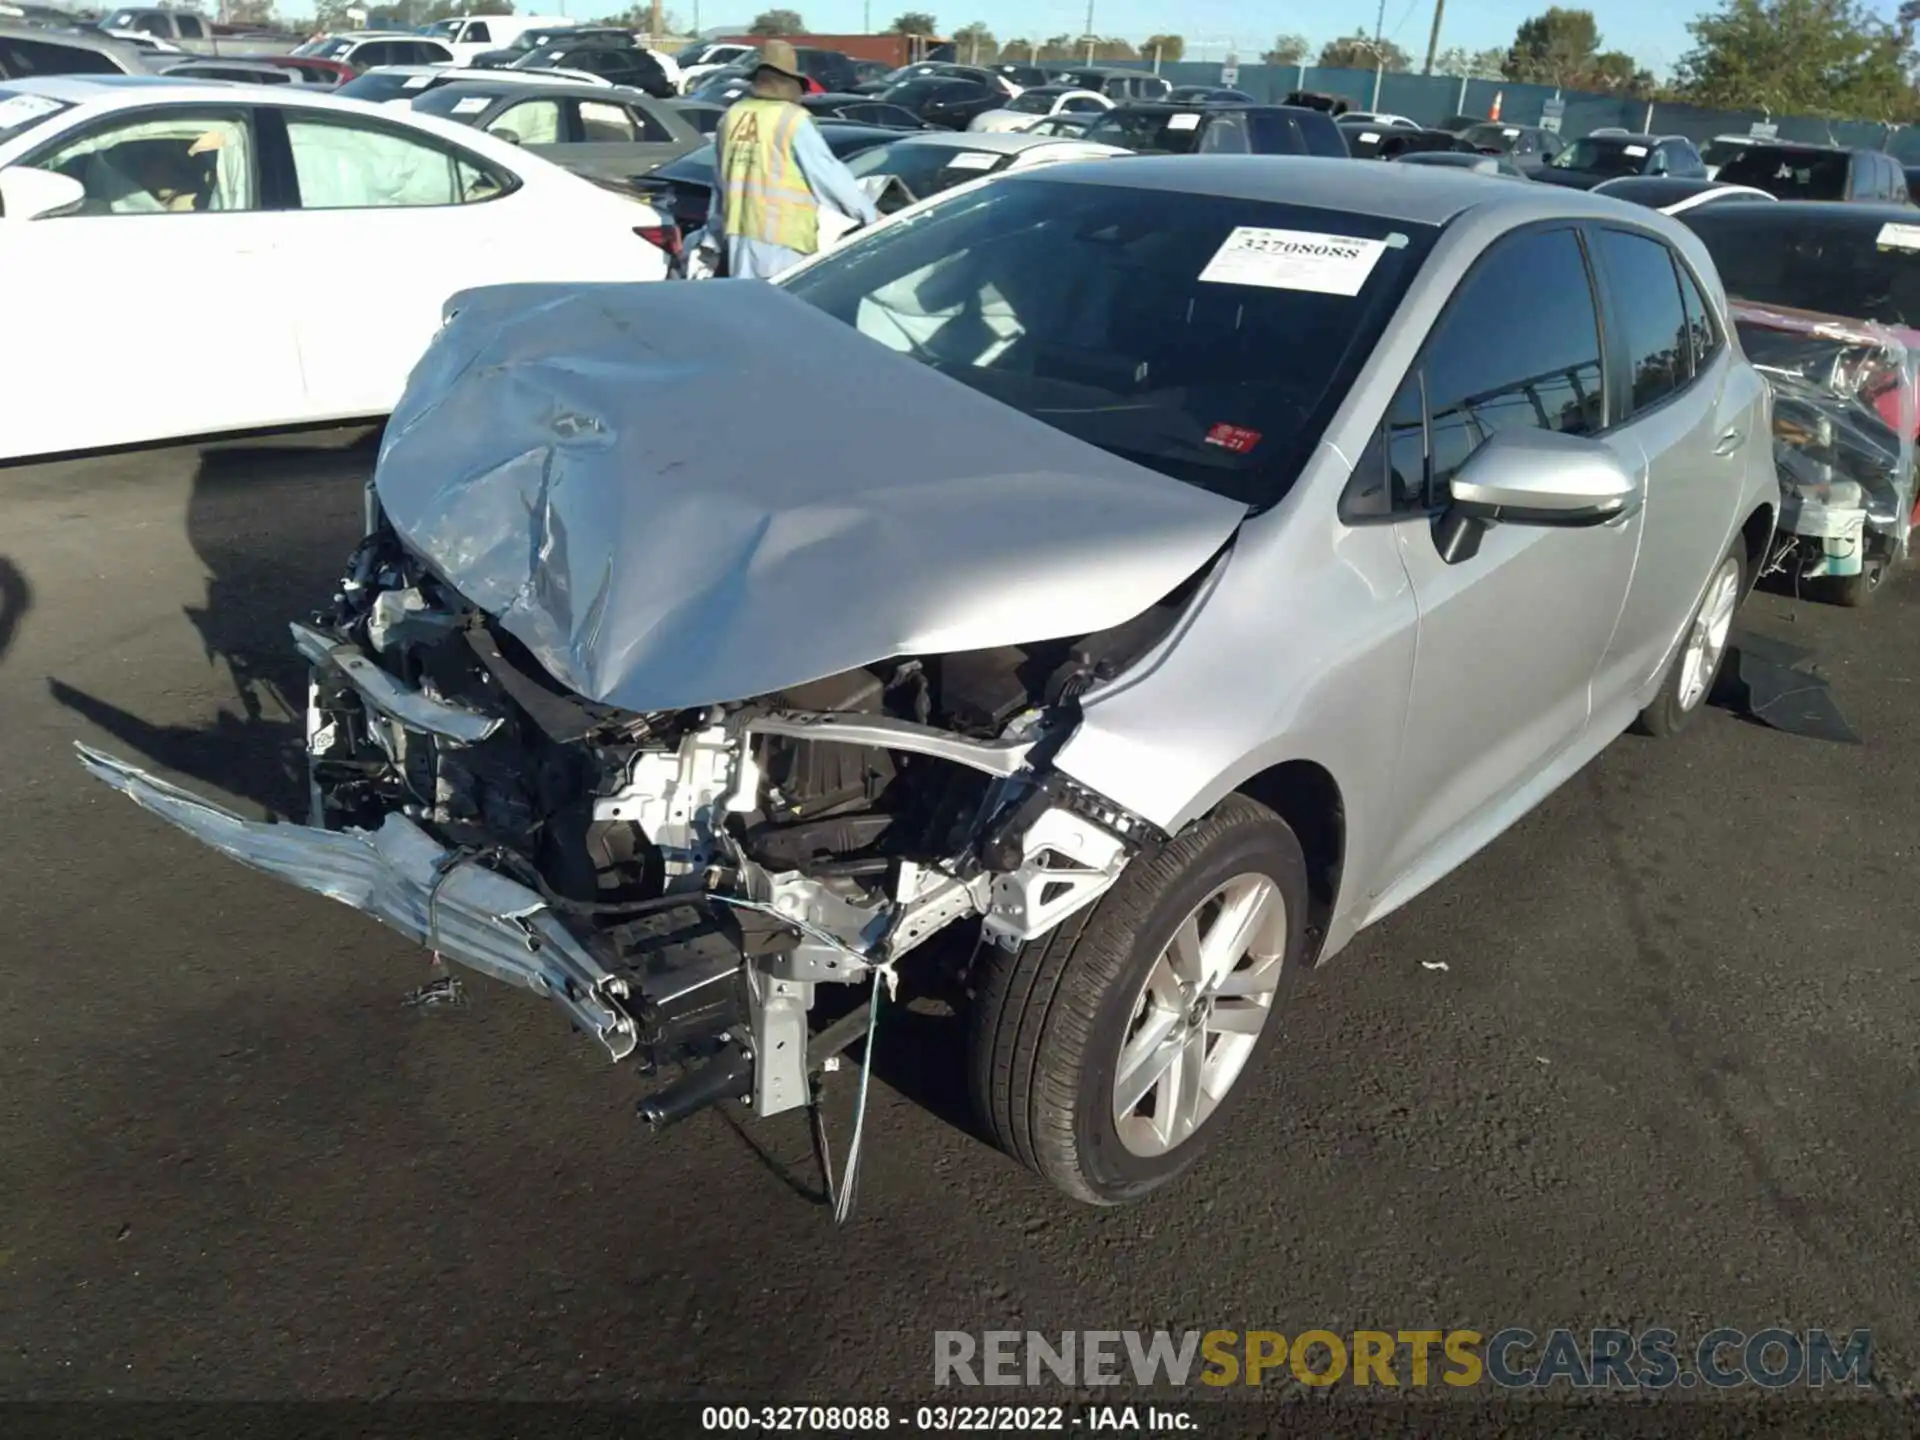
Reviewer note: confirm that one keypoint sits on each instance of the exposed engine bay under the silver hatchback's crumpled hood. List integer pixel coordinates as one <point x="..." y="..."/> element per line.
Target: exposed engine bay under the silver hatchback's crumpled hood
<point x="719" y="865"/>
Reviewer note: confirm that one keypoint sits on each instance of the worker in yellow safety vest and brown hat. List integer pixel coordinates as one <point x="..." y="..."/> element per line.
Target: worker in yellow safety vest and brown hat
<point x="775" y="176"/>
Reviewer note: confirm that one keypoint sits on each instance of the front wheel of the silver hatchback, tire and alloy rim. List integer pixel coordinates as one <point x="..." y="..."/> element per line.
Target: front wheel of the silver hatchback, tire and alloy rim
<point x="1053" y="1022"/>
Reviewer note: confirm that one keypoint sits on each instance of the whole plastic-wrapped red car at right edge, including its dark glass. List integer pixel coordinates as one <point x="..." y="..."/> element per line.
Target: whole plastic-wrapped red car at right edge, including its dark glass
<point x="1827" y="300"/>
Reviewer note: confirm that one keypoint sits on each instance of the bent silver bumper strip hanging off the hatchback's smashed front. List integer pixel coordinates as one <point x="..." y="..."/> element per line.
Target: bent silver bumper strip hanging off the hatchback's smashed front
<point x="410" y="882"/>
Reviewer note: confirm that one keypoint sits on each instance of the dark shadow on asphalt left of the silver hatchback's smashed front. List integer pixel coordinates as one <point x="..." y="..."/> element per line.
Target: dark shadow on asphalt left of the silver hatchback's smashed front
<point x="274" y="527"/>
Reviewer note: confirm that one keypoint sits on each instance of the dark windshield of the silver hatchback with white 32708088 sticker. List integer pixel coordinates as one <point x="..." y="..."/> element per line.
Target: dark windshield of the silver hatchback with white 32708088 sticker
<point x="1164" y="335"/>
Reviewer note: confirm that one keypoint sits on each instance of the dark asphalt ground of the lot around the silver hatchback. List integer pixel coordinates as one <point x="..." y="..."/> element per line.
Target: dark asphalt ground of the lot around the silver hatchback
<point x="1654" y="1059"/>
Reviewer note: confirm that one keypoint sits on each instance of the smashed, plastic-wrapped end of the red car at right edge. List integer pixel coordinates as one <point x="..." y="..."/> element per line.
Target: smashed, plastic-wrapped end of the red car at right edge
<point x="1844" y="443"/>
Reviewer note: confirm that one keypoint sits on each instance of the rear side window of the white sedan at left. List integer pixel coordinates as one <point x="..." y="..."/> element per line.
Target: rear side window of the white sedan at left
<point x="345" y="166"/>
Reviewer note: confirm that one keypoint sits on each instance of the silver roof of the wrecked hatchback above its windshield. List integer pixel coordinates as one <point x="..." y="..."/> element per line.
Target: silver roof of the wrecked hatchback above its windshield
<point x="1418" y="195"/>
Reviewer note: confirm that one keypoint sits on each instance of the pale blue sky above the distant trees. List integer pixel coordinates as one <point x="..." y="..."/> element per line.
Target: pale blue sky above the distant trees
<point x="1654" y="32"/>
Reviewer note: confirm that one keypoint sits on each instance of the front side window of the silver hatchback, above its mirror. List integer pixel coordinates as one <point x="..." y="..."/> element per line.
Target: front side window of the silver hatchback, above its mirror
<point x="1518" y="348"/>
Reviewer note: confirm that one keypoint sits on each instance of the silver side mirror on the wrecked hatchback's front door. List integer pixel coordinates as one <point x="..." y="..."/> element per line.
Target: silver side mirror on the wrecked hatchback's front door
<point x="1537" y="477"/>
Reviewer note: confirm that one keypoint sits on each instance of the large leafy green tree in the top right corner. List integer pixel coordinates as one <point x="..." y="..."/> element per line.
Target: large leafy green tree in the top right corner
<point x="1810" y="57"/>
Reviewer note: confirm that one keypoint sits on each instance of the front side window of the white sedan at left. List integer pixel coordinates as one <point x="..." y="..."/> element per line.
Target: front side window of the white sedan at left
<point x="162" y="166"/>
